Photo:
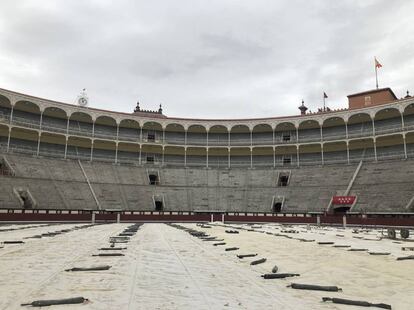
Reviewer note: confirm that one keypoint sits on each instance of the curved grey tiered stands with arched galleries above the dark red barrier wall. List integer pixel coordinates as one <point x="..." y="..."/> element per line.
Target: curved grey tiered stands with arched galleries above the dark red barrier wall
<point x="67" y="157"/>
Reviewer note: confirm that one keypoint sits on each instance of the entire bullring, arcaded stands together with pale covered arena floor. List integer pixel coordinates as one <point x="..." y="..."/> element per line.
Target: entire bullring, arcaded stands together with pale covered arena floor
<point x="141" y="210"/>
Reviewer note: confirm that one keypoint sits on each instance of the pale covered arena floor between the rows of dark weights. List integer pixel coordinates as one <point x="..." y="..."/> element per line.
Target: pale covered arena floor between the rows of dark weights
<point x="167" y="268"/>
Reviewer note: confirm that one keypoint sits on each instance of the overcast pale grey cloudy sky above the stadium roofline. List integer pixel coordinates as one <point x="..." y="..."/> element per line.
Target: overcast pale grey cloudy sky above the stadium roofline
<point x="206" y="59"/>
